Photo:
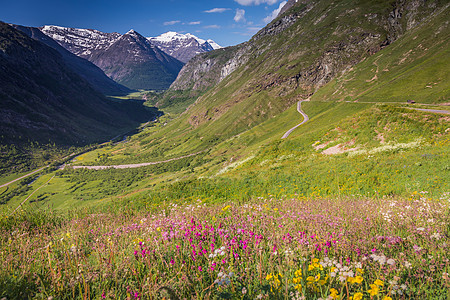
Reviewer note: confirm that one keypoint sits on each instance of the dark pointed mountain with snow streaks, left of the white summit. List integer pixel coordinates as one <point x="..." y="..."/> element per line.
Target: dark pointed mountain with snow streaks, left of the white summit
<point x="128" y="59"/>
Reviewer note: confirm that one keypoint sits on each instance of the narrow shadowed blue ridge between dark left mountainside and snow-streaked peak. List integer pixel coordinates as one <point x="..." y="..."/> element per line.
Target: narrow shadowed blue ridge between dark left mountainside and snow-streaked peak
<point x="93" y="74"/>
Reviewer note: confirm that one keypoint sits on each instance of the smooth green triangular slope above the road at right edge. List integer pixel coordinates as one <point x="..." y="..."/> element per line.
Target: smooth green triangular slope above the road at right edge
<point x="416" y="67"/>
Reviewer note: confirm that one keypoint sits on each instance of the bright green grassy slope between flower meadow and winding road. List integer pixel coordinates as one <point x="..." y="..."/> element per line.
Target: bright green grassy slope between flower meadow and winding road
<point x="270" y="166"/>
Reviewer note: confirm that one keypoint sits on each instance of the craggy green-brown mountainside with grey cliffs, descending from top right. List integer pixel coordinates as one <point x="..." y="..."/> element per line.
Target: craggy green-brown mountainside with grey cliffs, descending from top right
<point x="293" y="56"/>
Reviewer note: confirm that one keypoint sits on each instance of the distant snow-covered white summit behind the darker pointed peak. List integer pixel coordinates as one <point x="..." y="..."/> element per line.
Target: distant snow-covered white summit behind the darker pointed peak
<point x="183" y="46"/>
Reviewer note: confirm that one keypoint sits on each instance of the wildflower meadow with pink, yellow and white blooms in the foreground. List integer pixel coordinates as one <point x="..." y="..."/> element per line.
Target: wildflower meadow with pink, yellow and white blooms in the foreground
<point x="319" y="248"/>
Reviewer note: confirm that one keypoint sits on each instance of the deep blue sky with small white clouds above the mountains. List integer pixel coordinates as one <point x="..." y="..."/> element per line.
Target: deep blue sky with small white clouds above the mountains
<point x="227" y="22"/>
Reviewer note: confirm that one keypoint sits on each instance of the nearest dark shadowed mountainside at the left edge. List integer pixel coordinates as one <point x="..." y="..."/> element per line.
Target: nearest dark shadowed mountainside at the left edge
<point x="42" y="99"/>
